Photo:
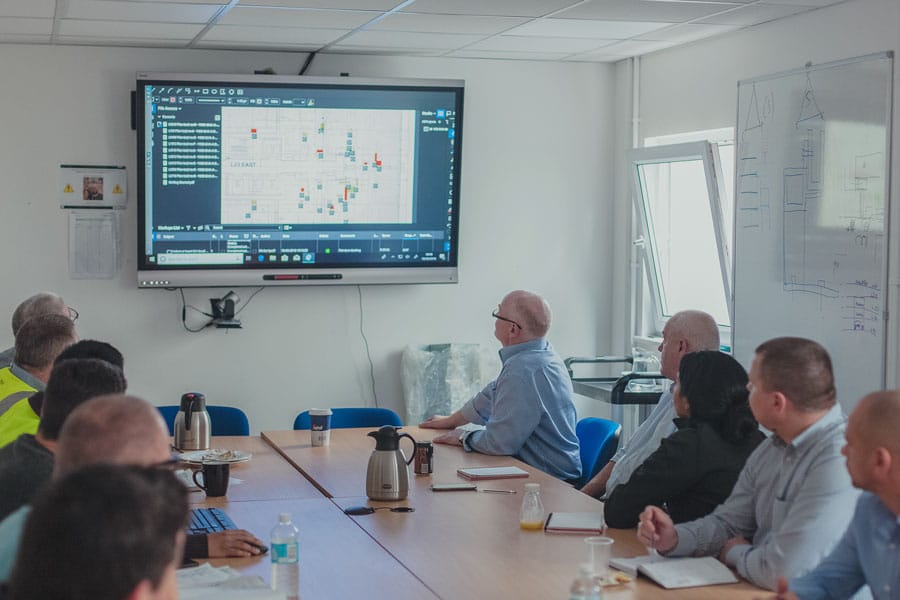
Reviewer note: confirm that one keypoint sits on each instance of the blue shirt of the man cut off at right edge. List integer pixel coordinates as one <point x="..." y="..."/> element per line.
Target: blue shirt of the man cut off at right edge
<point x="869" y="553"/>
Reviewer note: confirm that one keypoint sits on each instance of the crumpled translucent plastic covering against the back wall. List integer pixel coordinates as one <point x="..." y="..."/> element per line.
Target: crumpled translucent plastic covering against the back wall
<point x="438" y="379"/>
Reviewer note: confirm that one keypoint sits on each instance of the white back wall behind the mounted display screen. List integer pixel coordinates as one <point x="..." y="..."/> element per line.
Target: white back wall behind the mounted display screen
<point x="536" y="190"/>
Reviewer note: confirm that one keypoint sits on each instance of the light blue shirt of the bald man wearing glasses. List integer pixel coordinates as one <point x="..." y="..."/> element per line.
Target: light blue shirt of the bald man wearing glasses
<point x="528" y="411"/>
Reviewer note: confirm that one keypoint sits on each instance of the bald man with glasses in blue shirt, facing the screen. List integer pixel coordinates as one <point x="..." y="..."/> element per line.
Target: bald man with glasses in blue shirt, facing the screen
<point x="527" y="411"/>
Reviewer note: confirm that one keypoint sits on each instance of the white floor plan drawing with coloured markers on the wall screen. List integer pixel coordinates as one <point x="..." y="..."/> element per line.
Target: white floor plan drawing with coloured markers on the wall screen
<point x="317" y="166"/>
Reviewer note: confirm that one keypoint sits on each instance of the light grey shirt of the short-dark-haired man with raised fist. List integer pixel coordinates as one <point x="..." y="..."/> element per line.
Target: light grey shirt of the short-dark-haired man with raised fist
<point x="792" y="500"/>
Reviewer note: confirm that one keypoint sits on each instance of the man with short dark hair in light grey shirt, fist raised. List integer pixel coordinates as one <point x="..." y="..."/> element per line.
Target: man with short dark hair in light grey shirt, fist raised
<point x="794" y="497"/>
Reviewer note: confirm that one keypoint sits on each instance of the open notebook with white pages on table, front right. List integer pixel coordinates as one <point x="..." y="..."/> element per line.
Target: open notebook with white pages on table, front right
<point x="677" y="572"/>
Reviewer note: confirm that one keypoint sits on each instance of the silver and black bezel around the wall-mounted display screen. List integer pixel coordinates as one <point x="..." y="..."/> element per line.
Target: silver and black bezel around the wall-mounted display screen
<point x="152" y="275"/>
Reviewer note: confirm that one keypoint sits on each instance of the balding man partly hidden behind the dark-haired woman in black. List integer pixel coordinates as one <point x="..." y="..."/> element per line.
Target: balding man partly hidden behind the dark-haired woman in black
<point x="686" y="331"/>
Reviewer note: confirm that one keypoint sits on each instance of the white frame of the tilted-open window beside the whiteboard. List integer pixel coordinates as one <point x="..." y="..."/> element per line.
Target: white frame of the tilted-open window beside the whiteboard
<point x="707" y="152"/>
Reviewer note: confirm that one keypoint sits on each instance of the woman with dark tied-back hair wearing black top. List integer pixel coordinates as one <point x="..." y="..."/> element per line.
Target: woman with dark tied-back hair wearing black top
<point x="695" y="468"/>
